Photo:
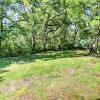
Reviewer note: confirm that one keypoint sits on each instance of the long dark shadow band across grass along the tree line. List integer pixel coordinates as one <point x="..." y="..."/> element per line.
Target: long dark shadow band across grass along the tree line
<point x="4" y="62"/>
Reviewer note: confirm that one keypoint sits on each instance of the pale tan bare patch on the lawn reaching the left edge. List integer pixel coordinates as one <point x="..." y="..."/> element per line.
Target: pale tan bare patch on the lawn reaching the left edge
<point x="12" y="85"/>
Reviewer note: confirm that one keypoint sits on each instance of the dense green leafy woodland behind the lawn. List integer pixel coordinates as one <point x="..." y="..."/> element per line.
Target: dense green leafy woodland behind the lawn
<point x="31" y="26"/>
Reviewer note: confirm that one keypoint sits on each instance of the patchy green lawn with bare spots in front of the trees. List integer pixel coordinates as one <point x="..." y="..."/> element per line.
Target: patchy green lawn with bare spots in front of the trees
<point x="68" y="75"/>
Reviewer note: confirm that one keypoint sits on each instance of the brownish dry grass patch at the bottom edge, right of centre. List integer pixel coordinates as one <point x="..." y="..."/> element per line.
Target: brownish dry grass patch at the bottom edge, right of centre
<point x="60" y="94"/>
